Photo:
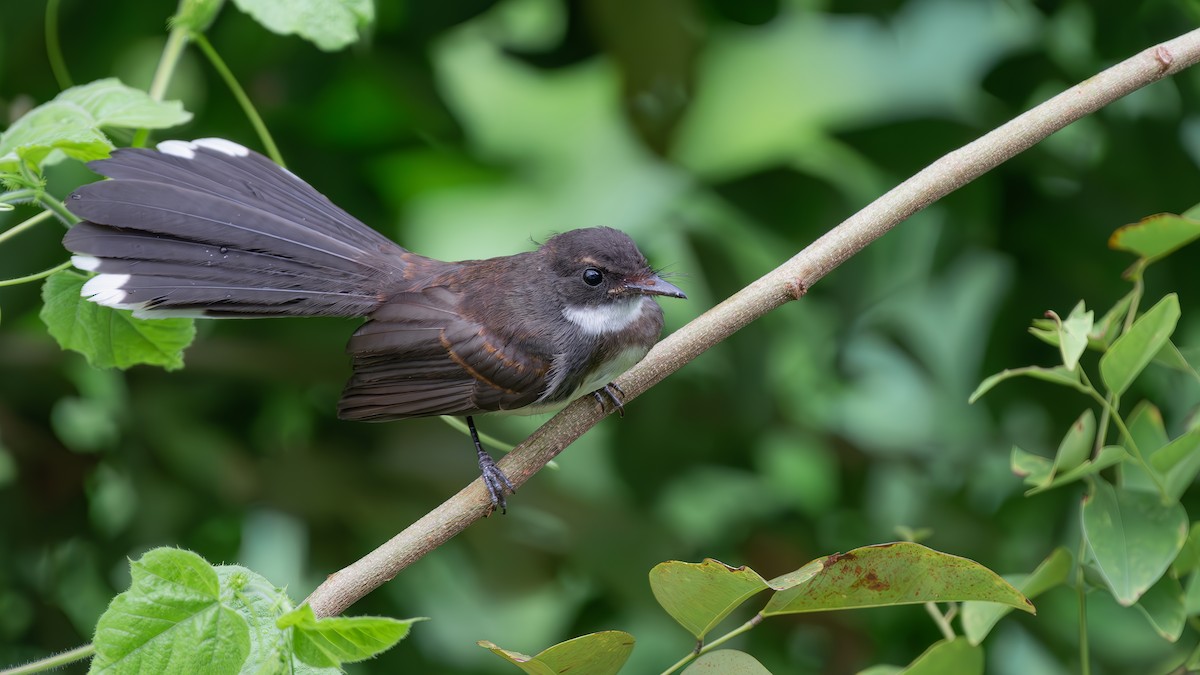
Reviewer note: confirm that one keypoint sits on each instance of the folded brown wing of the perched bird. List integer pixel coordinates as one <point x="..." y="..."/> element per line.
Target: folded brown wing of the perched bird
<point x="418" y="356"/>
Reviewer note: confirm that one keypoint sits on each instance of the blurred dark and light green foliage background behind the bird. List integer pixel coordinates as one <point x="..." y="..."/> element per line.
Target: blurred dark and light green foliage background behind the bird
<point x="724" y="136"/>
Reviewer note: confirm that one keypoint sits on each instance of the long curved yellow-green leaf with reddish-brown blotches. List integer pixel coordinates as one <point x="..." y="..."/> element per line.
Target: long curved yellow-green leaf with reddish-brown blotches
<point x="890" y="575"/>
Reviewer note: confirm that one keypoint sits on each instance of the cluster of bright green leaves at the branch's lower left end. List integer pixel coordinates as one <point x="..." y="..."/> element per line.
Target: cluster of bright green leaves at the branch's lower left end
<point x="184" y="616"/>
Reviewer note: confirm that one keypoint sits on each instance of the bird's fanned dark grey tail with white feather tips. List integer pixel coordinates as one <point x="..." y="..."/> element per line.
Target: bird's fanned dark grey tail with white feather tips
<point x="211" y="229"/>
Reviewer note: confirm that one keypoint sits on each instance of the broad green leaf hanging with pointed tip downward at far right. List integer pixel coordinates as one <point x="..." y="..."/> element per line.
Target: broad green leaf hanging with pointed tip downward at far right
<point x="1133" y="537"/>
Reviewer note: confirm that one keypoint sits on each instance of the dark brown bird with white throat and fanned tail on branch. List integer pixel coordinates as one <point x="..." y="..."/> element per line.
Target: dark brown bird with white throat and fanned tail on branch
<point x="209" y="229"/>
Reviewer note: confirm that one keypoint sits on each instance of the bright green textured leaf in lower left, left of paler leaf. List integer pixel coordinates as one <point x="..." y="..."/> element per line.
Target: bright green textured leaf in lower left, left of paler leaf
<point x="171" y="620"/>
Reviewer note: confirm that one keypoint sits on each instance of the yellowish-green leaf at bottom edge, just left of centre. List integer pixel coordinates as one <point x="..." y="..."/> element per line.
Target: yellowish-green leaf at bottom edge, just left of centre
<point x="597" y="654"/>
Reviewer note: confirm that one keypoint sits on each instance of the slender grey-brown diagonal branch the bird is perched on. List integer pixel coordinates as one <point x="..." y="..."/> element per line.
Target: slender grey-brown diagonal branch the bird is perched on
<point x="788" y="283"/>
